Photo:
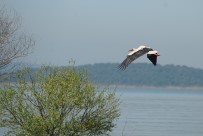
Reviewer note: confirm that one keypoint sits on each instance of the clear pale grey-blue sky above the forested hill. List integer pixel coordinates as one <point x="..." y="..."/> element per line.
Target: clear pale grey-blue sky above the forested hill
<point x="102" y="31"/>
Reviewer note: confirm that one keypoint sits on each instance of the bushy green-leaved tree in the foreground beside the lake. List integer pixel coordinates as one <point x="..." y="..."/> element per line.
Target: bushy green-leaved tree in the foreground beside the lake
<point x="57" y="102"/>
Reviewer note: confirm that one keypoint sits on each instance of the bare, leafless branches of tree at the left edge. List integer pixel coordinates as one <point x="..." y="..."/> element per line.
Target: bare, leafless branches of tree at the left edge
<point x="13" y="42"/>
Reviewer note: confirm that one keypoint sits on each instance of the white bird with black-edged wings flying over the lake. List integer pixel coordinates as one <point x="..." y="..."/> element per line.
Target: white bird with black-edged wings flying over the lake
<point x="135" y="53"/>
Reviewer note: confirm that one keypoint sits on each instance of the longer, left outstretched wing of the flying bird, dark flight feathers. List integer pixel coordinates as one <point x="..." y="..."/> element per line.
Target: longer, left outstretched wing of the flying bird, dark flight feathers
<point x="133" y="56"/>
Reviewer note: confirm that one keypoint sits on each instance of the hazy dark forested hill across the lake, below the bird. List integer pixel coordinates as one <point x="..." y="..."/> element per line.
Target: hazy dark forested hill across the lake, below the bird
<point x="142" y="74"/>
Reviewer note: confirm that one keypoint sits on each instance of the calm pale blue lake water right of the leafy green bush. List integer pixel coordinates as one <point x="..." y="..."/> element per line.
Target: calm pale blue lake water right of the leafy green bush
<point x="160" y="112"/>
